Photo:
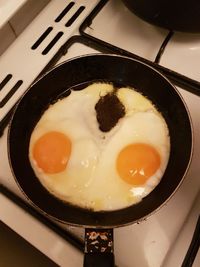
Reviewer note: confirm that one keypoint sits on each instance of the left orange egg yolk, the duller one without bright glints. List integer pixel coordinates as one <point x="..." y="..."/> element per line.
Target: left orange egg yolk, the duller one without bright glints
<point x="52" y="151"/>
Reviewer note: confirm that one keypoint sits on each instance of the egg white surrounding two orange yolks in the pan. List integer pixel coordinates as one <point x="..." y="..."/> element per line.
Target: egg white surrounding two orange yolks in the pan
<point x="91" y="179"/>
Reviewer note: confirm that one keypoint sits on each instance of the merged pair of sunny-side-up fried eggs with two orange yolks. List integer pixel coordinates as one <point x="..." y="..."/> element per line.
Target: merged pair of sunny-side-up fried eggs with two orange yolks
<point x="80" y="164"/>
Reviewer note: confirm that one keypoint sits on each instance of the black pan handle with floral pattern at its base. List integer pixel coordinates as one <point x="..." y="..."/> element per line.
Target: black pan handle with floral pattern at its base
<point x="98" y="248"/>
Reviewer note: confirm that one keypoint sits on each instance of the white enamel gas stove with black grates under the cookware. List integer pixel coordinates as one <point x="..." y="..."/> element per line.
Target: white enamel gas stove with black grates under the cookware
<point x="65" y="29"/>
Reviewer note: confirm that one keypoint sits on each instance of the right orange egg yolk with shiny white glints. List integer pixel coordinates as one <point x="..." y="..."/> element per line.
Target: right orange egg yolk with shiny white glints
<point x="136" y="163"/>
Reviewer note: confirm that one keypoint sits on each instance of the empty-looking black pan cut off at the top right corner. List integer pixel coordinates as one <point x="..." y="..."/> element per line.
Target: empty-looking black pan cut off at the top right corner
<point x="177" y="15"/>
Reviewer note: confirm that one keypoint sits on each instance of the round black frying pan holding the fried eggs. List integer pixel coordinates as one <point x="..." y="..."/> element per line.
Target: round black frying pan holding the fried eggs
<point x="77" y="73"/>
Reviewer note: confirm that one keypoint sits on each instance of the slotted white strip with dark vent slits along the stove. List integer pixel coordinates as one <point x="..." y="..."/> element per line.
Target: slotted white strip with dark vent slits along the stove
<point x="23" y="61"/>
